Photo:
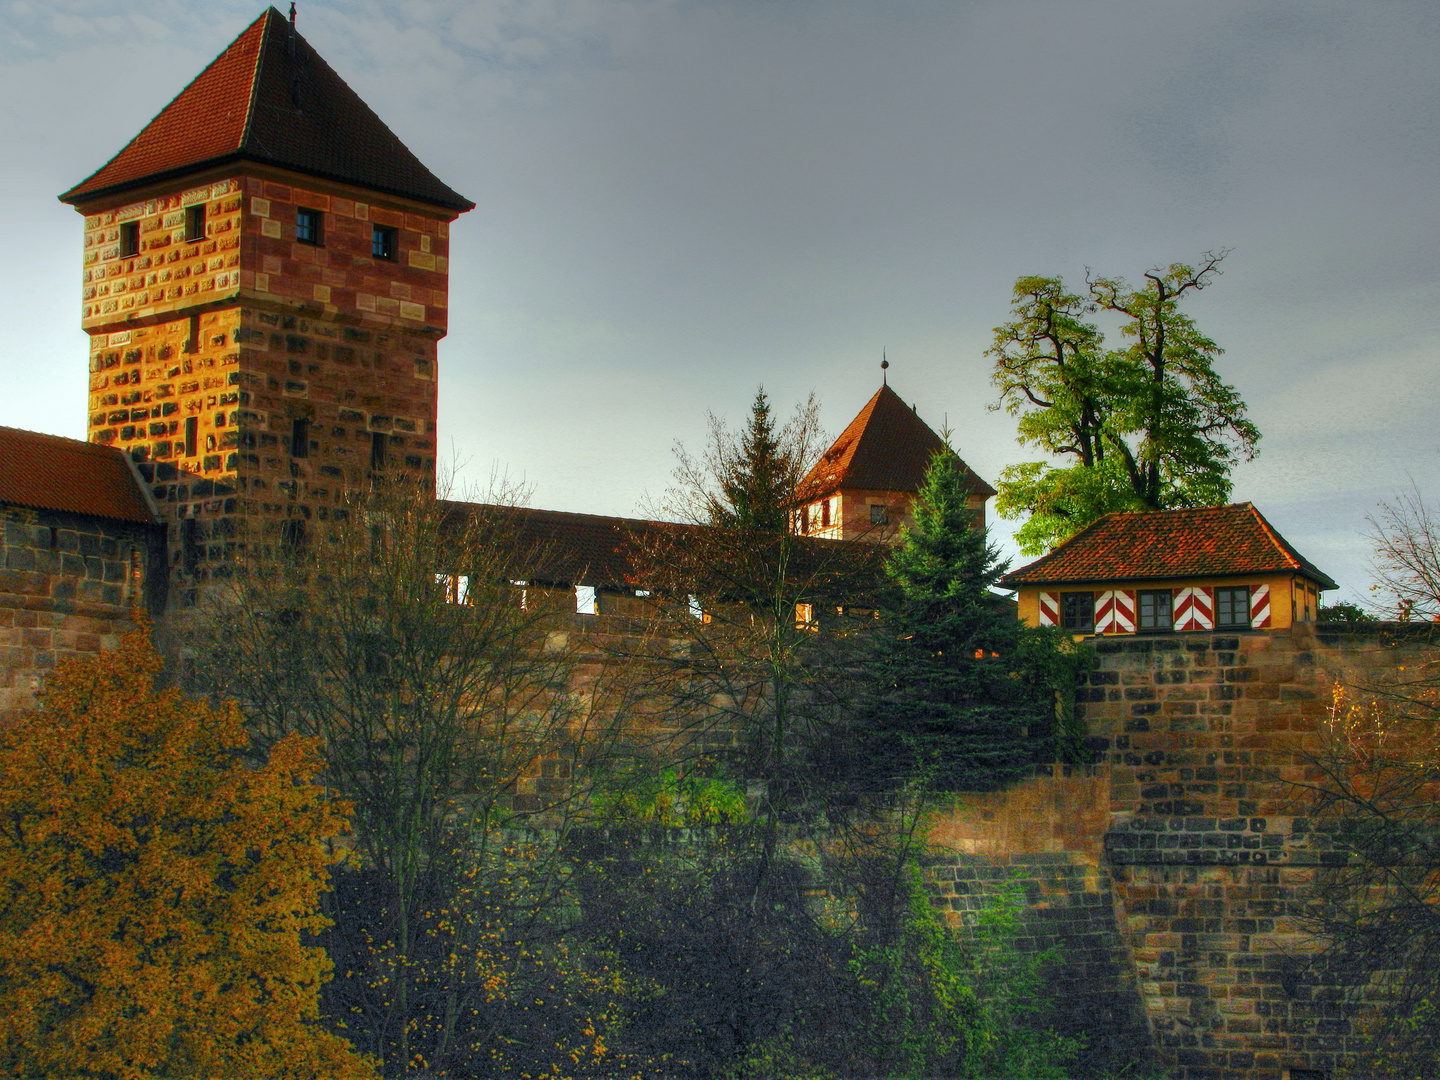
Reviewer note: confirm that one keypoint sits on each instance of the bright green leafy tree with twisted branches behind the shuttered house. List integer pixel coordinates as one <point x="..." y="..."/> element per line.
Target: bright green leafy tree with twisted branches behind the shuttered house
<point x="1144" y="427"/>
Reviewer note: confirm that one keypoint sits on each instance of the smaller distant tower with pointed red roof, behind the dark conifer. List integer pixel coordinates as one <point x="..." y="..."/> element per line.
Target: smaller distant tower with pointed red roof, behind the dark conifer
<point x="865" y="486"/>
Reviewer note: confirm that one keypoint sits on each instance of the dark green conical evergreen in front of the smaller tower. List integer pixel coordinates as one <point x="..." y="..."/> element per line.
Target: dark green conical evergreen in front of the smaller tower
<point x="966" y="696"/>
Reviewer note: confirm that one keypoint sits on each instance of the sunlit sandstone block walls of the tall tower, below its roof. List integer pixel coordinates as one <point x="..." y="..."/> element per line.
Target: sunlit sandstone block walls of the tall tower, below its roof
<point x="256" y="377"/>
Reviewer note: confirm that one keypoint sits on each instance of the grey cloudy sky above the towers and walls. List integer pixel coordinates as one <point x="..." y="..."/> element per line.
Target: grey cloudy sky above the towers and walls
<point x="682" y="201"/>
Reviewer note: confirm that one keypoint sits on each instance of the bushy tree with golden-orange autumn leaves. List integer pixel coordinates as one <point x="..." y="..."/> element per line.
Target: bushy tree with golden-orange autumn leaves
<point x="156" y="889"/>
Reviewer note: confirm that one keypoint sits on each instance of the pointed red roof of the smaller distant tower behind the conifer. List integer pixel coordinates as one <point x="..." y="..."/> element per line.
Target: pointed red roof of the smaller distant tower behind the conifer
<point x="886" y="449"/>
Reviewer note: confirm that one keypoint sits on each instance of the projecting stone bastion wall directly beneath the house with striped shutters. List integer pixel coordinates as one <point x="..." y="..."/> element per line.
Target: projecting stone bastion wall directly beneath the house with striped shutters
<point x="1209" y="847"/>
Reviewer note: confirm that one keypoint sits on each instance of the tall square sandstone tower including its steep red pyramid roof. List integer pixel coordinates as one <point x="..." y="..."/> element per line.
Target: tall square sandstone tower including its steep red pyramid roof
<point x="266" y="286"/>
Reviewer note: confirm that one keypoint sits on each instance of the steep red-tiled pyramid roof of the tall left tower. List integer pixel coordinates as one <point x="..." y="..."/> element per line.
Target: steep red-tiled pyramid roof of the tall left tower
<point x="271" y="99"/>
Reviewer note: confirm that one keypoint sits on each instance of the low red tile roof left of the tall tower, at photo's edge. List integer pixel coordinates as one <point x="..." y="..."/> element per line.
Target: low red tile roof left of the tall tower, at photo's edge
<point x="50" y="473"/>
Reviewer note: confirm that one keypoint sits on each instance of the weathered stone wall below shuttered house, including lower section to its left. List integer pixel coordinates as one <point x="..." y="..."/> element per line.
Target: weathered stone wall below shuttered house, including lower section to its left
<point x="1173" y="875"/>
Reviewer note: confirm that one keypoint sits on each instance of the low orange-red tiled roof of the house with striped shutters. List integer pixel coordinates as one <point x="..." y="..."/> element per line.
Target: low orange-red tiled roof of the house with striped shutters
<point x="1206" y="542"/>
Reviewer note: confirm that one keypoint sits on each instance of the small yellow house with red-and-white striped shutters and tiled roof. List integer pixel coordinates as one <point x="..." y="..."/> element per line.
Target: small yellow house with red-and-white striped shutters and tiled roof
<point x="1171" y="571"/>
